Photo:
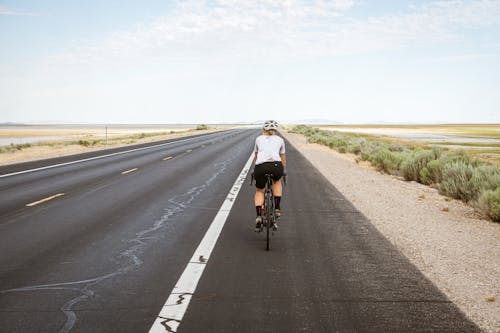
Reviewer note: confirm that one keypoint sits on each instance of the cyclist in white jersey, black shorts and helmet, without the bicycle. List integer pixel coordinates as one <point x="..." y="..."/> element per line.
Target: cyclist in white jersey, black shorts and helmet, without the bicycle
<point x="269" y="159"/>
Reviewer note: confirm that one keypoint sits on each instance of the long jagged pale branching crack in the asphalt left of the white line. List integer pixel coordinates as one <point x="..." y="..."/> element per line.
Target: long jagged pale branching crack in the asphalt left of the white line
<point x="177" y="204"/>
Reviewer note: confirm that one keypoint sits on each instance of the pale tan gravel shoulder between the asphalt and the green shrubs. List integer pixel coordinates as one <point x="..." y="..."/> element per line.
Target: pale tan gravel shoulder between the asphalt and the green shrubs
<point x="445" y="239"/>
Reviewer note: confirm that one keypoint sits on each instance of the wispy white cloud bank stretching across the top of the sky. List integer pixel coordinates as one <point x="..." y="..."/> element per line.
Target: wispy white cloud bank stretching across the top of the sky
<point x="274" y="30"/>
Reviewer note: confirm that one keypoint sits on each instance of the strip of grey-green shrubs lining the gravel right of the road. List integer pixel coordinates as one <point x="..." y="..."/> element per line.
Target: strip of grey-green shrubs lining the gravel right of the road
<point x="454" y="172"/>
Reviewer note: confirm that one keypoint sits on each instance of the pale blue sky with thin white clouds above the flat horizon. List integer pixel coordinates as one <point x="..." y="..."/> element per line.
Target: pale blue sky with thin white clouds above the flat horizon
<point x="226" y="61"/>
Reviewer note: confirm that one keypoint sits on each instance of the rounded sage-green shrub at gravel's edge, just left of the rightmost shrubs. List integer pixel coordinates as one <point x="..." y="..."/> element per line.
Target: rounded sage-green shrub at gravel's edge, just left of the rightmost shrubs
<point x="456" y="181"/>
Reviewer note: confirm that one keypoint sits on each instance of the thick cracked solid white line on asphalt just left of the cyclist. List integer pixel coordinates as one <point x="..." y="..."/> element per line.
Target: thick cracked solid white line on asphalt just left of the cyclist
<point x="173" y="310"/>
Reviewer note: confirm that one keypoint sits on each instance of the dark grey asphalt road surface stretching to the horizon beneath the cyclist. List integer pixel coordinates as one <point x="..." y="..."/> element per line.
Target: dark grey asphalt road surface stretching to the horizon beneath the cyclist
<point x="103" y="254"/>
